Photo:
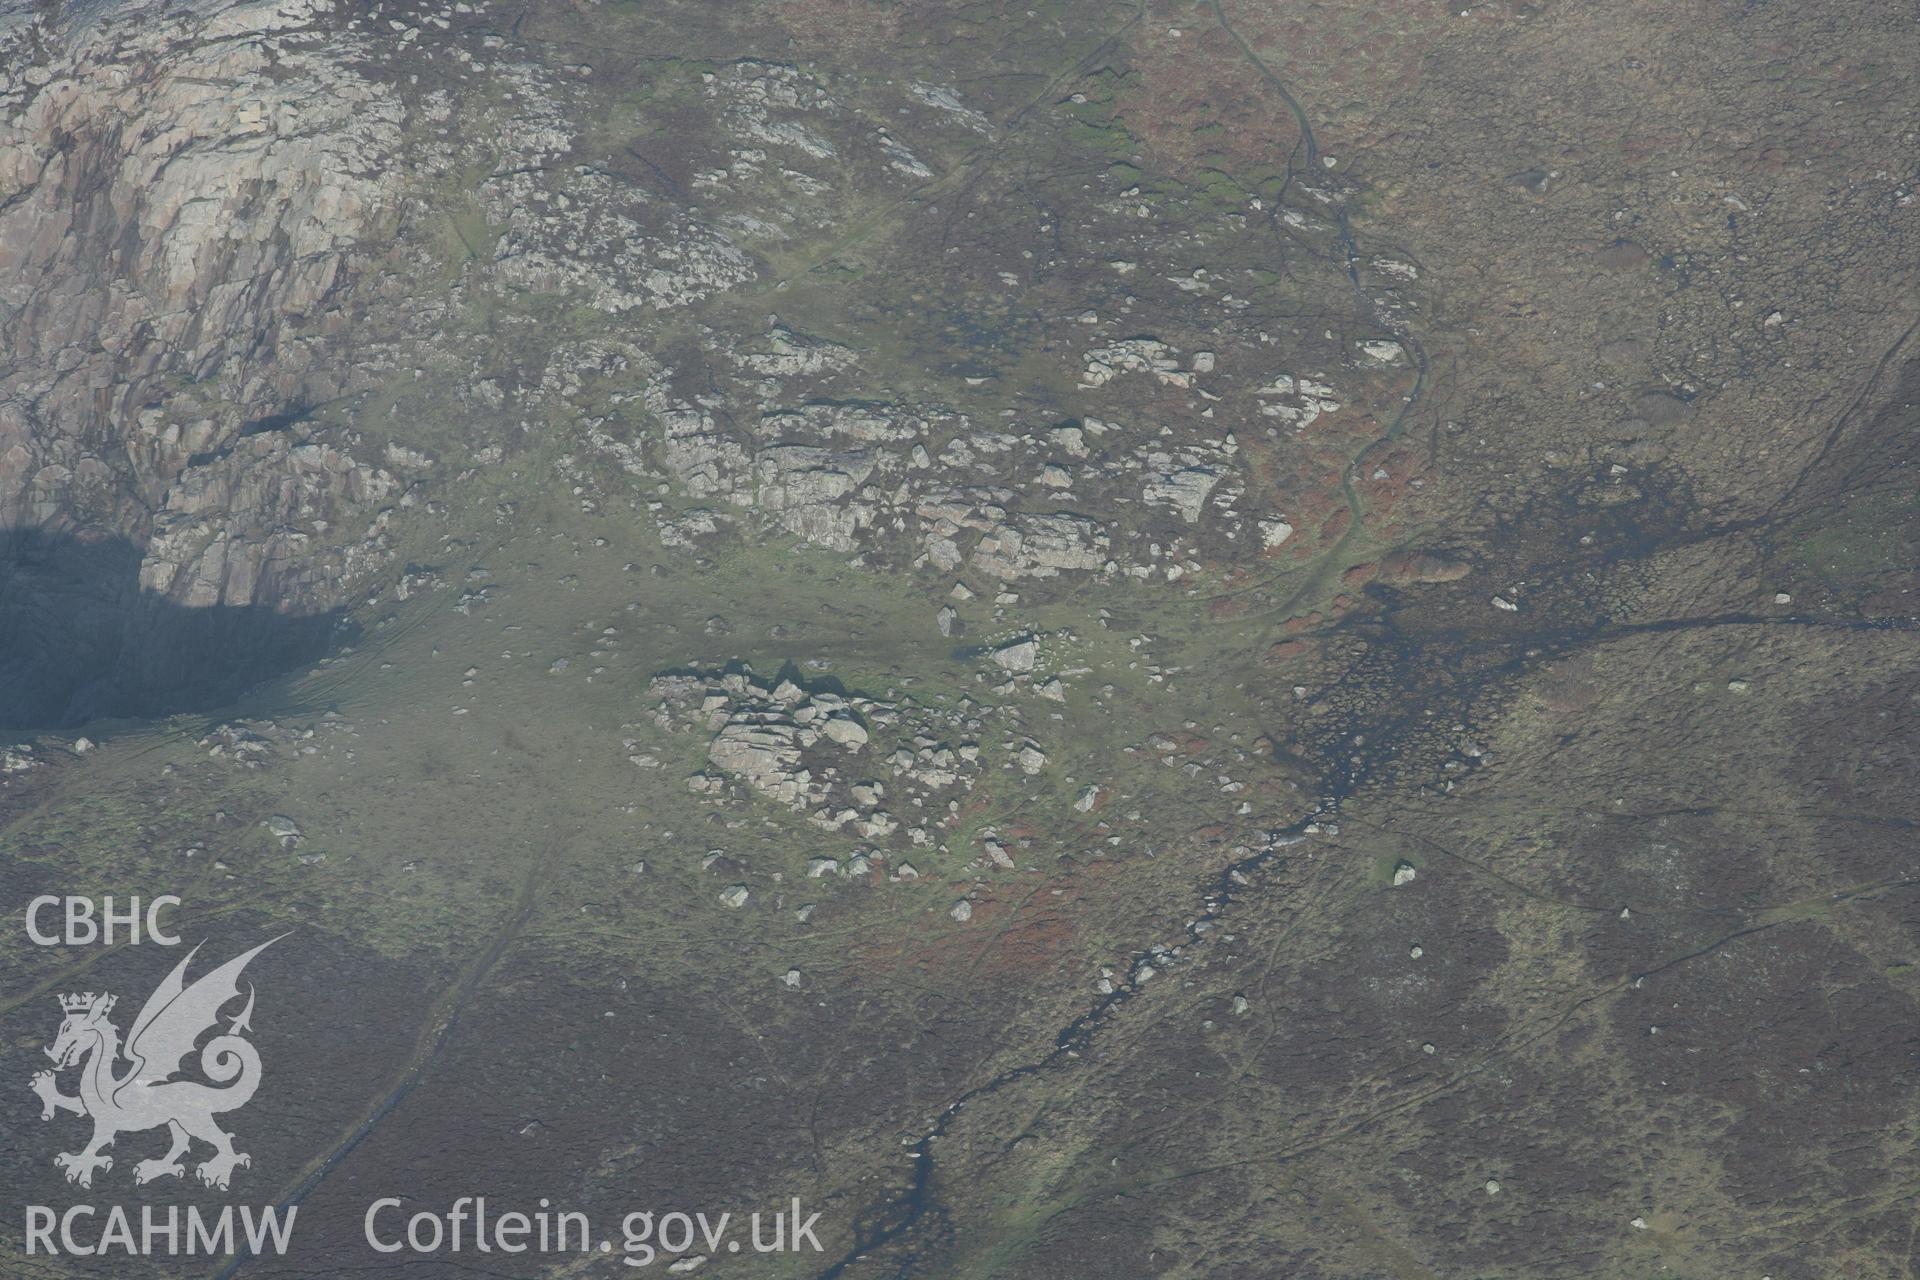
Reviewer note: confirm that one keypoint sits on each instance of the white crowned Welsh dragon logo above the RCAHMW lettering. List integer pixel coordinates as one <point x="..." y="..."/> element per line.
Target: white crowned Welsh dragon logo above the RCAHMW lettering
<point x="145" y="1097"/>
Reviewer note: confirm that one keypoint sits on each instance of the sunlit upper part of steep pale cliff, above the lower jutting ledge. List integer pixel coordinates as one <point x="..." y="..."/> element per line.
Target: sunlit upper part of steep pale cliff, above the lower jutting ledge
<point x="176" y="212"/>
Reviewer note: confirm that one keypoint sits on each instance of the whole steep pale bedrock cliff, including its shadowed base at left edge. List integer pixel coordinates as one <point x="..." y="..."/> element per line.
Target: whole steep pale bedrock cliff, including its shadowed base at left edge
<point x="189" y="201"/>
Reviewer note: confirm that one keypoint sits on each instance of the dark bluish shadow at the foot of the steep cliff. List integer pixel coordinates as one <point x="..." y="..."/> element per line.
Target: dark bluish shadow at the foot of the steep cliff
<point x="80" y="640"/>
